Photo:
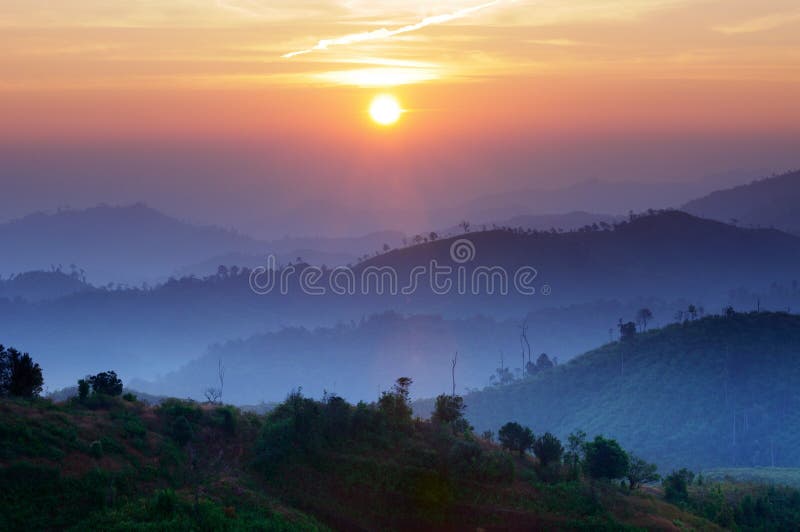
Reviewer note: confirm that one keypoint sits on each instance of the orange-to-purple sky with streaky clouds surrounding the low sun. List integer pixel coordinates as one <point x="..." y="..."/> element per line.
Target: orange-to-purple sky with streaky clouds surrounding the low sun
<point x="226" y="110"/>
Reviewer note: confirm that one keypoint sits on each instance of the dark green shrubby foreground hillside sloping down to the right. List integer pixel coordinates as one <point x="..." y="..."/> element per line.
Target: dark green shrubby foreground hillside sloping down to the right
<point x="112" y="464"/>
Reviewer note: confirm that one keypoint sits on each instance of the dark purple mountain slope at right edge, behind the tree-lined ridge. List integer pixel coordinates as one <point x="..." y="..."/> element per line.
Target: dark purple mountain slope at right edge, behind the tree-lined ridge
<point x="770" y="202"/>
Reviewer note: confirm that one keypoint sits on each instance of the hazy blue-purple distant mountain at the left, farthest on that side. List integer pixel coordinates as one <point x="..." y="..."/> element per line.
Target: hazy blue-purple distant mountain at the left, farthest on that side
<point x="136" y="243"/>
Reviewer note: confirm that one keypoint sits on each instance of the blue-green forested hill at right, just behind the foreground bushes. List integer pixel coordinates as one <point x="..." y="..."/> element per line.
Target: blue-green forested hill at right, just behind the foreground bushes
<point x="717" y="391"/>
